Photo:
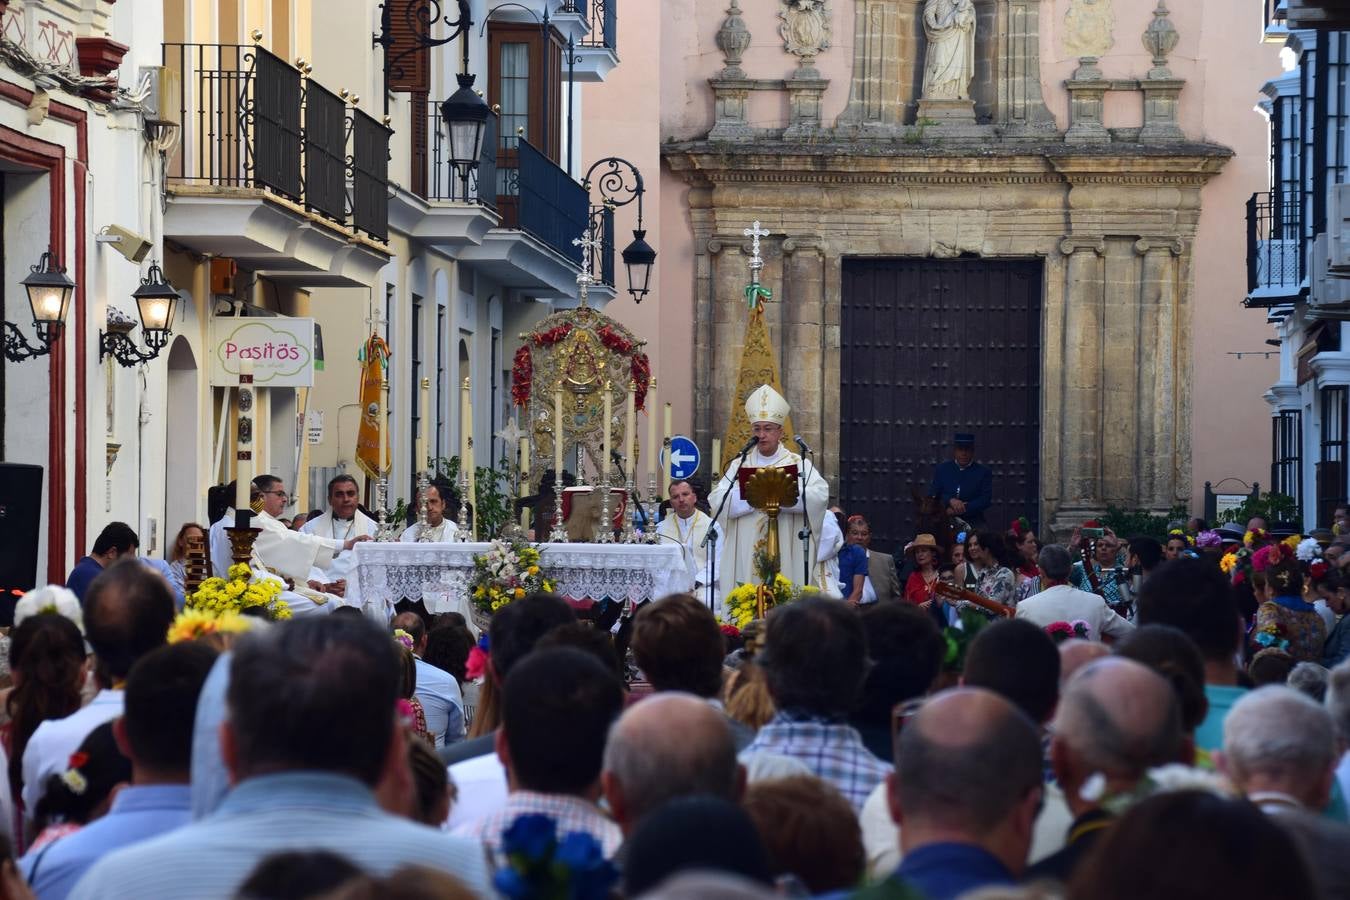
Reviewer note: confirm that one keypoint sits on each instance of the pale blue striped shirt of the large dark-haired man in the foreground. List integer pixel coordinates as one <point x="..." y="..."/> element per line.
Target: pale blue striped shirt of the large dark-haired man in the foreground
<point x="300" y="810"/>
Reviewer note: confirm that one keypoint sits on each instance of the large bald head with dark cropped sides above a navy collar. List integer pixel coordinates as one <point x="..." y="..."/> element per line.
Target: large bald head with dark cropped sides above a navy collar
<point x="969" y="771"/>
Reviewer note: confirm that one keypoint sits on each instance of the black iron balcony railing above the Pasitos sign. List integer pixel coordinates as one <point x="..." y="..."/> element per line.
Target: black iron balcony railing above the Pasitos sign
<point x="250" y="121"/>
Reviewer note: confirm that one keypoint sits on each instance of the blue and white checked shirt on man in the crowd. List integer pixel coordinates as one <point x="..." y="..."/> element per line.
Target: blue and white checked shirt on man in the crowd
<point x="832" y="751"/>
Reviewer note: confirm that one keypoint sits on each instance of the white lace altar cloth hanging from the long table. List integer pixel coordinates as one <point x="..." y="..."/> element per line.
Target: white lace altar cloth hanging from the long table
<point x="439" y="574"/>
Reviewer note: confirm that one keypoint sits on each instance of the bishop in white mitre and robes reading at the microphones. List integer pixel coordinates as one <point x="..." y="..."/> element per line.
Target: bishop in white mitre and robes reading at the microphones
<point x="743" y="526"/>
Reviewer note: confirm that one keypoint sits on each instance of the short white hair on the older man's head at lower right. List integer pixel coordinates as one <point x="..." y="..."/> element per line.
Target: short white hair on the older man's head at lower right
<point x="1279" y="731"/>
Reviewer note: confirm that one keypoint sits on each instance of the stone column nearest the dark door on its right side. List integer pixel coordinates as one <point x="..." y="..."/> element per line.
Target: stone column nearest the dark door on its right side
<point x="1081" y="431"/>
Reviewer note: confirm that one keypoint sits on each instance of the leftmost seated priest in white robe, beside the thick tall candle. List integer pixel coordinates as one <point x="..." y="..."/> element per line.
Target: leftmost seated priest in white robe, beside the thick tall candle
<point x="296" y="557"/>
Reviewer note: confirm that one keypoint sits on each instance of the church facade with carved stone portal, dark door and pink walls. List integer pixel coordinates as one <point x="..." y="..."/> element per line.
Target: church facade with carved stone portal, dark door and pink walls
<point x="998" y="217"/>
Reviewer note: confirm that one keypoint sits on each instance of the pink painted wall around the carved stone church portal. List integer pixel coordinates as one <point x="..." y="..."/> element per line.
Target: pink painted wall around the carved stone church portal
<point x="1224" y="61"/>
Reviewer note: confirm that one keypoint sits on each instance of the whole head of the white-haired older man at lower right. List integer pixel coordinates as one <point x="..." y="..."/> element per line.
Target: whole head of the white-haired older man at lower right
<point x="1278" y="740"/>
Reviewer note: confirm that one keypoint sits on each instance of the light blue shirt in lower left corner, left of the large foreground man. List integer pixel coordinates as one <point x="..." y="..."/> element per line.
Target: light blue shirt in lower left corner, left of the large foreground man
<point x="138" y="814"/>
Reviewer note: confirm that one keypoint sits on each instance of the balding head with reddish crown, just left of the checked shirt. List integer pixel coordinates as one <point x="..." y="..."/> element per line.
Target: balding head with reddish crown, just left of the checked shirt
<point x="668" y="747"/>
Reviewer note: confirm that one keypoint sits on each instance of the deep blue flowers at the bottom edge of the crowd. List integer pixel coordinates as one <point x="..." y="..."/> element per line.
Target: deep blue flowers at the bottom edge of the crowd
<point x="543" y="867"/>
